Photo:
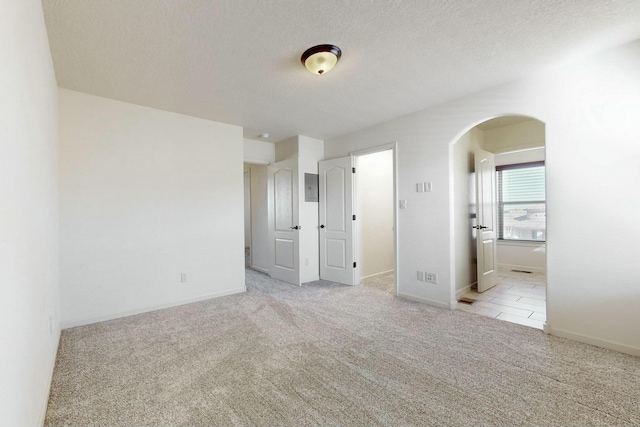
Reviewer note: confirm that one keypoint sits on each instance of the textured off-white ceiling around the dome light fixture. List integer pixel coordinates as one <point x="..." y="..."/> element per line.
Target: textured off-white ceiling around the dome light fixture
<point x="238" y="61"/>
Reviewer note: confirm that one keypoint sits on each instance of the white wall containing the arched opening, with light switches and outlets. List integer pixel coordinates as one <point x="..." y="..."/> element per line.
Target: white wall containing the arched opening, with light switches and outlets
<point x="592" y="119"/>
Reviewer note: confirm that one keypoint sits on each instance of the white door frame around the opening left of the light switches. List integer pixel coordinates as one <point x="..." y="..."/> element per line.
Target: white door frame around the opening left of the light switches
<point x="393" y="146"/>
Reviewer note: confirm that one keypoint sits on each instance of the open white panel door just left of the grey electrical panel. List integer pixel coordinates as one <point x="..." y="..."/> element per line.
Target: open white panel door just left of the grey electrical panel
<point x="283" y="186"/>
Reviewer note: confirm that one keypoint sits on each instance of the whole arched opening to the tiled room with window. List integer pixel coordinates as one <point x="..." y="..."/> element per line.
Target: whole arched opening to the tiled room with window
<point x="500" y="220"/>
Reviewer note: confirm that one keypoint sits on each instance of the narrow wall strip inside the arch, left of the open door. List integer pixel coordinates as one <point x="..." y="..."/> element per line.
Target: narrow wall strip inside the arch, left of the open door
<point x="464" y="209"/>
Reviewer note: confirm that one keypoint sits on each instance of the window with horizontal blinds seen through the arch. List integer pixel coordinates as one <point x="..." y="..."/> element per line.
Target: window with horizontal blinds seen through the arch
<point x="521" y="202"/>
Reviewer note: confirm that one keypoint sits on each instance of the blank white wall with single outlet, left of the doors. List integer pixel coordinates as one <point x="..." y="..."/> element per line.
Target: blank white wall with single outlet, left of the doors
<point x="145" y="195"/>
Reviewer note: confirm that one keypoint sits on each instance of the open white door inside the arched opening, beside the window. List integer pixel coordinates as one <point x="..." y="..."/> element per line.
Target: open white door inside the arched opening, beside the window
<point x="486" y="232"/>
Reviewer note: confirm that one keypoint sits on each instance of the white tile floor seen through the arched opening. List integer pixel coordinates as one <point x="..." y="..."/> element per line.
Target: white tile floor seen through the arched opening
<point x="517" y="298"/>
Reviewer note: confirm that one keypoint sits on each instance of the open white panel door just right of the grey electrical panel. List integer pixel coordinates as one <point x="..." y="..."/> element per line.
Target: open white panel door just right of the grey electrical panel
<point x="336" y="221"/>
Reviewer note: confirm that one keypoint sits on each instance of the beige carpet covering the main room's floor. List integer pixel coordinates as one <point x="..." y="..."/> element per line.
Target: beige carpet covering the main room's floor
<point x="330" y="355"/>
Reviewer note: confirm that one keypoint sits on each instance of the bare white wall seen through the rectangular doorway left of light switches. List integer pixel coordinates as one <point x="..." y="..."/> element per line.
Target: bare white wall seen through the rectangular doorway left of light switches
<point x="375" y="213"/>
